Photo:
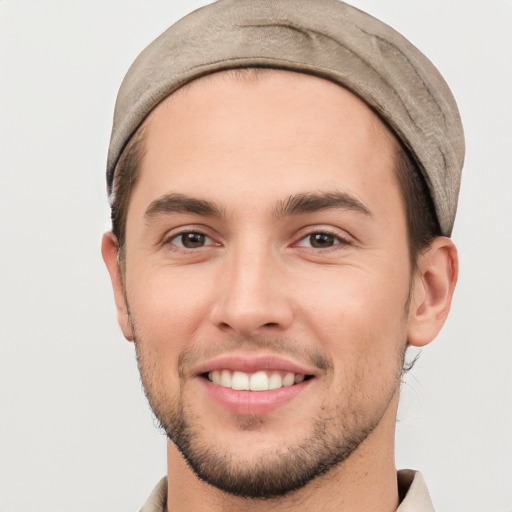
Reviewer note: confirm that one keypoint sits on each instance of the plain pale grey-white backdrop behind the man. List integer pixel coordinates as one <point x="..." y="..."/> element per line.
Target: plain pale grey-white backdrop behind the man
<point x="75" y="430"/>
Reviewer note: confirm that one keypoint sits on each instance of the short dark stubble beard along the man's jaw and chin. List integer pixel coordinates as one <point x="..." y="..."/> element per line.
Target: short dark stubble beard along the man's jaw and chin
<point x="330" y="441"/>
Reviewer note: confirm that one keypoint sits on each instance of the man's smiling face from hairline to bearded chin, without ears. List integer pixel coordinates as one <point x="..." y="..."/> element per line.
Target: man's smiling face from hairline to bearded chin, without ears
<point x="267" y="278"/>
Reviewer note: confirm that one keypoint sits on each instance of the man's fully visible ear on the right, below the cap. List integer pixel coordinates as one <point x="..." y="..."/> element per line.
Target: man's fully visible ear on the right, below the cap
<point x="432" y="292"/>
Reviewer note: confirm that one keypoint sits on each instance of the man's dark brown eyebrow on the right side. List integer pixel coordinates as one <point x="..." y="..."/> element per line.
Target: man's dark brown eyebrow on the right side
<point x="317" y="201"/>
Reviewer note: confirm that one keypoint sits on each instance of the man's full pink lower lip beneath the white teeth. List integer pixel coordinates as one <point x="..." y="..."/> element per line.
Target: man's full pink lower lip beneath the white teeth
<point x="254" y="402"/>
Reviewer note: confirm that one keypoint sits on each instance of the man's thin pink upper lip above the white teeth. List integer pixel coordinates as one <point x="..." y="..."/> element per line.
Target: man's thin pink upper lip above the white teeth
<point x="253" y="363"/>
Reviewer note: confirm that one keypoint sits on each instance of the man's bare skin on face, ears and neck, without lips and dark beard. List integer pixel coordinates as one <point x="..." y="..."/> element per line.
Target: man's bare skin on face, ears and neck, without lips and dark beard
<point x="258" y="287"/>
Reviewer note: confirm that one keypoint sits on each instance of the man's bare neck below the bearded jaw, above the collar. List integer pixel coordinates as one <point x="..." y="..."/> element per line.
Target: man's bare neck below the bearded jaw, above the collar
<point x="365" y="482"/>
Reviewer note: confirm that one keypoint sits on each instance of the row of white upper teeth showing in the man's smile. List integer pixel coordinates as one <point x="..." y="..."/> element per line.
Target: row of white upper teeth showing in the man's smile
<point x="258" y="381"/>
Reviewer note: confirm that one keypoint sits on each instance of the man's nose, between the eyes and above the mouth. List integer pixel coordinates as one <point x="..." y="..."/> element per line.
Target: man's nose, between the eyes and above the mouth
<point x="252" y="295"/>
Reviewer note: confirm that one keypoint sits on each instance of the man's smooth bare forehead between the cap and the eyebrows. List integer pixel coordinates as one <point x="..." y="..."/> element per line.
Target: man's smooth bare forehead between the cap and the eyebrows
<point x="272" y="130"/>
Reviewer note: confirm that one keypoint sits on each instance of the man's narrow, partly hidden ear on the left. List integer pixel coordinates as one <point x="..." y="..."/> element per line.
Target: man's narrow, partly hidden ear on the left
<point x="110" y="251"/>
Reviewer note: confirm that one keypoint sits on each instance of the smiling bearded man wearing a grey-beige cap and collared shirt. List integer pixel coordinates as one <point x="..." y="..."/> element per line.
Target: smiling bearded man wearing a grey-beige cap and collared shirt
<point x="283" y="178"/>
